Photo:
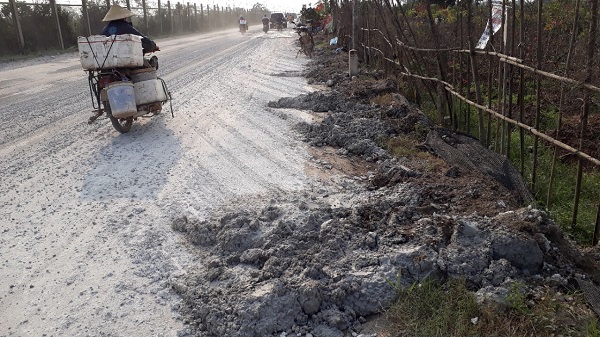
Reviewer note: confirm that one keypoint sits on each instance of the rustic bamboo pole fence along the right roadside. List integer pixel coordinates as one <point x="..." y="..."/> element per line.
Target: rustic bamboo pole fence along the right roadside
<point x="530" y="91"/>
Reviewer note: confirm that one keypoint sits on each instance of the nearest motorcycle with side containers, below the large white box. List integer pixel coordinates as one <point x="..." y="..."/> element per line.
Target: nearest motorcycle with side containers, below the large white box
<point x="125" y="94"/>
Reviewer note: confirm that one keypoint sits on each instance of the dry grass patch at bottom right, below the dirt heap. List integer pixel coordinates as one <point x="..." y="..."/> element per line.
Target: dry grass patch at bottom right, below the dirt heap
<point x="431" y="309"/>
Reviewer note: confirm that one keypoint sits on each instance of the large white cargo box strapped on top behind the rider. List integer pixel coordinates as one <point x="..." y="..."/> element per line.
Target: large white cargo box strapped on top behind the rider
<point x="116" y="51"/>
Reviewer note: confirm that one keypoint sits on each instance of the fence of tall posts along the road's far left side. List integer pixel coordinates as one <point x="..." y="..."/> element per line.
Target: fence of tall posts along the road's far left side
<point x="160" y="18"/>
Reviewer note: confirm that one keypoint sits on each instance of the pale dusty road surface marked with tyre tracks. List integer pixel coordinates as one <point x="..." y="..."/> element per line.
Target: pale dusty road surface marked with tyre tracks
<point x="86" y="244"/>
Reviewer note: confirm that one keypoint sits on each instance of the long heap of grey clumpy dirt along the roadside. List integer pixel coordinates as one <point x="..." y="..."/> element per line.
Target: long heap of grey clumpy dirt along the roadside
<point x="319" y="263"/>
